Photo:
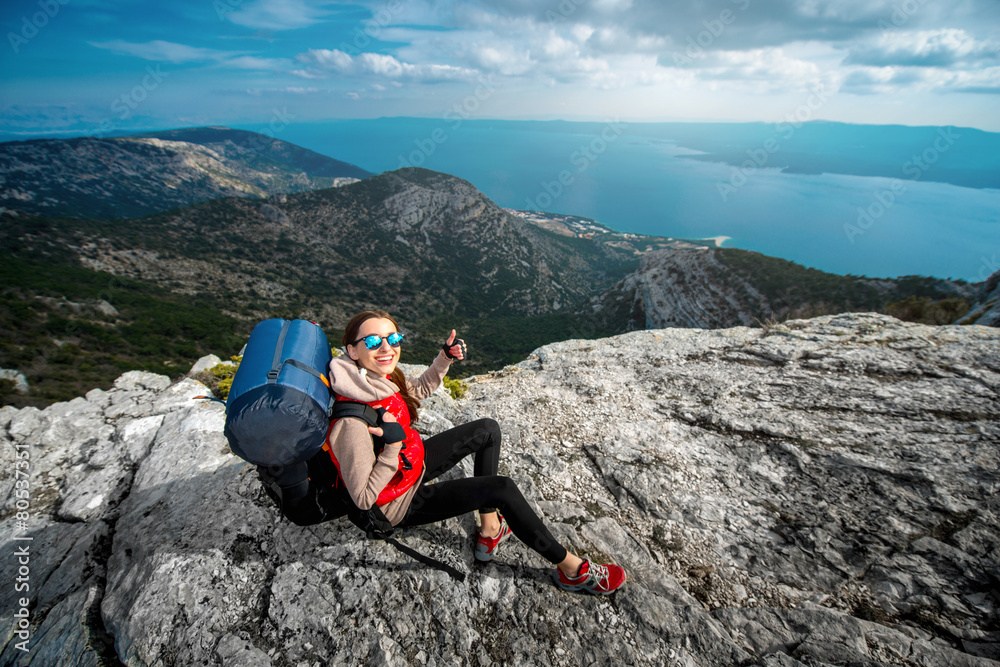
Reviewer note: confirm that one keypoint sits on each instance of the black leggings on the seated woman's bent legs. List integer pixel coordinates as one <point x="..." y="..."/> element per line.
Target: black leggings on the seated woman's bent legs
<point x="485" y="492"/>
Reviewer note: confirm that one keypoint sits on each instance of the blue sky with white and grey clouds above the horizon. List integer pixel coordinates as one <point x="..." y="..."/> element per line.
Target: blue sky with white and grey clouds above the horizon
<point x="90" y="66"/>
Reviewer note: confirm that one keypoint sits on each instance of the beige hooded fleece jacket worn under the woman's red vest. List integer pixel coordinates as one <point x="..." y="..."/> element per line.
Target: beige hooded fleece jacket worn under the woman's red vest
<point x="364" y="474"/>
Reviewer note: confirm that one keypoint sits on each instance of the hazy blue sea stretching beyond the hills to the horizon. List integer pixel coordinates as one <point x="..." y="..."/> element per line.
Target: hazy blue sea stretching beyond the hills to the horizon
<point x="878" y="201"/>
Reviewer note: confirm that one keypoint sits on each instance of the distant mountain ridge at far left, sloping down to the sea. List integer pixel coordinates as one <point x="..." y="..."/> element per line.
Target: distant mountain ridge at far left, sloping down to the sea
<point x="143" y="174"/>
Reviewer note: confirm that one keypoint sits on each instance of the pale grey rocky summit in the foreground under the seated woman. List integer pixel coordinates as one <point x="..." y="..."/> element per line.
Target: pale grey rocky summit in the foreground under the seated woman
<point x="819" y="492"/>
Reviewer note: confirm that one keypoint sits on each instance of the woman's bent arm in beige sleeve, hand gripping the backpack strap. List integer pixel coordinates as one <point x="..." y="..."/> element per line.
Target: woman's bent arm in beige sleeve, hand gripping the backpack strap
<point x="364" y="474"/>
